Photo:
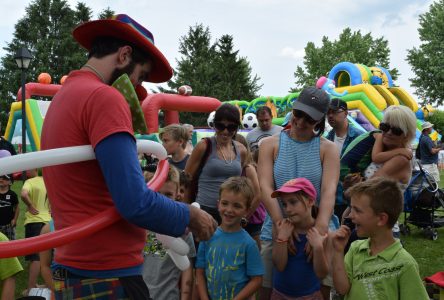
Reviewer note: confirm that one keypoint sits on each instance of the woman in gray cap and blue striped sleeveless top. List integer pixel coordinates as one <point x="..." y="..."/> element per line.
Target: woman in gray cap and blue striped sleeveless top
<point x="300" y="151"/>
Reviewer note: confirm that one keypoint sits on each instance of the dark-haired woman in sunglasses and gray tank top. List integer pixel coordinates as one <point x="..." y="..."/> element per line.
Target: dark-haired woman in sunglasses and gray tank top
<point x="224" y="159"/>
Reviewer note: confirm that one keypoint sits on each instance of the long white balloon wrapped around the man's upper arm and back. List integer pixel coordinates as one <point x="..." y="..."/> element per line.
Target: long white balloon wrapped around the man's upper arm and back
<point x="66" y="155"/>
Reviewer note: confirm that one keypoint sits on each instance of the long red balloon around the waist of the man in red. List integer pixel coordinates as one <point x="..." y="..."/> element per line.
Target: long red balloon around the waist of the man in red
<point x="78" y="231"/>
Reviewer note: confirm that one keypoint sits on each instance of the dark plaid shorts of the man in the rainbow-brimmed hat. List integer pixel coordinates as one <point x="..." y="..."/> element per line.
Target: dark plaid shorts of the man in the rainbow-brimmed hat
<point x="71" y="286"/>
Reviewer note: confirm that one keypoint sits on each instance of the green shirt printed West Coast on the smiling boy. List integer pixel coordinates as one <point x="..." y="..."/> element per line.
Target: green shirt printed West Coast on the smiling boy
<point x="391" y="274"/>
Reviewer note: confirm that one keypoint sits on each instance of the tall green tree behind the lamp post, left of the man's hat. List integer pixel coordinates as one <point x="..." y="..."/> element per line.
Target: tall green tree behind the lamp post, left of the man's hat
<point x="46" y="31"/>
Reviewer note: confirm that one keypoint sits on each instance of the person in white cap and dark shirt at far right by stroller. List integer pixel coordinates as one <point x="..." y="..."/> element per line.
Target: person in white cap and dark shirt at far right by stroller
<point x="429" y="151"/>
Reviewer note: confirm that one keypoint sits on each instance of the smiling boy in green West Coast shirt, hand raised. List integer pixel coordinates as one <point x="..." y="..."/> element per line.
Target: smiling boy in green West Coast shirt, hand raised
<point x="377" y="267"/>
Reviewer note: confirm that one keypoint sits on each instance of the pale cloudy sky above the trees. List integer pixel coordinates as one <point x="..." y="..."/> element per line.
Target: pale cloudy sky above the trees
<point x="271" y="34"/>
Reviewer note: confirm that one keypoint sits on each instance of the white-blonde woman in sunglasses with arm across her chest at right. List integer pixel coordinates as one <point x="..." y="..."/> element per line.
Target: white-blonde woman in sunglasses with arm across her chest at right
<point x="391" y="154"/>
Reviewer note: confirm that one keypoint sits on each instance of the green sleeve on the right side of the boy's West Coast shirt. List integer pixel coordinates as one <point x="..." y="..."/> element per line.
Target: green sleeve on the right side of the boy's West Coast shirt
<point x="410" y="283"/>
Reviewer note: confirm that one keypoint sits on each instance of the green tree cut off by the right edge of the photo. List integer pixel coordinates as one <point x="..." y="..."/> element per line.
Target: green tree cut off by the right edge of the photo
<point x="427" y="61"/>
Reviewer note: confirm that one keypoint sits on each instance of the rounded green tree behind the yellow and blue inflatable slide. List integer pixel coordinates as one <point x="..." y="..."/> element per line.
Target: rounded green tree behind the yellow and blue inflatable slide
<point x="351" y="46"/>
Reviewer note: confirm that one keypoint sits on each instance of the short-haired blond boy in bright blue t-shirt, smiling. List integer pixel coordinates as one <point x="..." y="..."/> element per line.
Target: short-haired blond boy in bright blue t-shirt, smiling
<point x="229" y="265"/>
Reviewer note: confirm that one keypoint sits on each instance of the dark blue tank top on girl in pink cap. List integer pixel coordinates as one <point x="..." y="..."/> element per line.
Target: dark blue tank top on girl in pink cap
<point x="298" y="279"/>
